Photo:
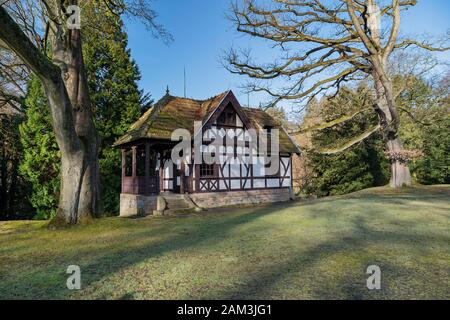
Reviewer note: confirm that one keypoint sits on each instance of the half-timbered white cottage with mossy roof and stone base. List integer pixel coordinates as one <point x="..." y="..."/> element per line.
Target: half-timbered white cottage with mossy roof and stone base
<point x="153" y="181"/>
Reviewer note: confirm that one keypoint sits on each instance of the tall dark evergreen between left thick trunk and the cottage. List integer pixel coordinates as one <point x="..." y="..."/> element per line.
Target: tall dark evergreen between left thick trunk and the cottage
<point x="117" y="100"/>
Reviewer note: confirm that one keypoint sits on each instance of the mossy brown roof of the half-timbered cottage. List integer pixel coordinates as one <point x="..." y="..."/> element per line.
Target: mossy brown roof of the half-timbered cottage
<point x="171" y="113"/>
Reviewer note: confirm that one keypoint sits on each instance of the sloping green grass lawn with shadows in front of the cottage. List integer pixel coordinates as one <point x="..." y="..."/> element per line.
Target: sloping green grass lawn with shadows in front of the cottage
<point x="299" y="250"/>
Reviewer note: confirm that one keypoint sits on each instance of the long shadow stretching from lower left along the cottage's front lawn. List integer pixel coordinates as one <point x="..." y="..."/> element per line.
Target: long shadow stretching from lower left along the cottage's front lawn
<point x="49" y="281"/>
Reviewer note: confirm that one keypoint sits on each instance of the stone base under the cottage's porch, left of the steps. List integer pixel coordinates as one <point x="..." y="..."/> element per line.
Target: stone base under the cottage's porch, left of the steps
<point x="136" y="205"/>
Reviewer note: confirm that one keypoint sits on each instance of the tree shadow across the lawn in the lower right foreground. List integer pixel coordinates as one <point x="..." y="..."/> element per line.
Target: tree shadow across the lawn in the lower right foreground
<point x="352" y="285"/>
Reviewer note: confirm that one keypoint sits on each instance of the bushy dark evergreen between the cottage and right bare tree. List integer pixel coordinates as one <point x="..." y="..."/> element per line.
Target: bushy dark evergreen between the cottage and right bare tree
<point x="363" y="165"/>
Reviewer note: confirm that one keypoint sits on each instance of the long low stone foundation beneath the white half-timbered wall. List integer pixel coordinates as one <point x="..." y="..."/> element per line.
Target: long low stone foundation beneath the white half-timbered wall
<point x="220" y="199"/>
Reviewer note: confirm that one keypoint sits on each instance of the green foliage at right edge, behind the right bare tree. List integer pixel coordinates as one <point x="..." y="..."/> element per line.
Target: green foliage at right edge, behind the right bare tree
<point x="426" y="128"/>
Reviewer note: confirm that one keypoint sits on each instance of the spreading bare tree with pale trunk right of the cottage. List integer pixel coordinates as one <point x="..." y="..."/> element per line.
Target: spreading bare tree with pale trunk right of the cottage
<point x="337" y="42"/>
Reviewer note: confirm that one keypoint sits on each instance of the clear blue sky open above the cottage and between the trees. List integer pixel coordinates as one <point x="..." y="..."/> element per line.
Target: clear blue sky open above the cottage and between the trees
<point x="201" y="32"/>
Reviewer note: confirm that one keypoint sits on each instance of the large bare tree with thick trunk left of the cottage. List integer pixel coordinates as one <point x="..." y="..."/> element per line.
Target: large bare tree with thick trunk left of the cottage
<point x="45" y="43"/>
